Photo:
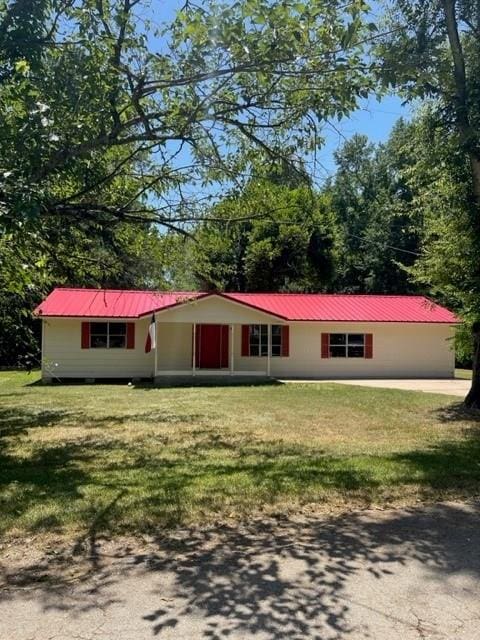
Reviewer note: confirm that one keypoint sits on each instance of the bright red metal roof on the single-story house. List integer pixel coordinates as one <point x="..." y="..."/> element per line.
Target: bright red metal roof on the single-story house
<point x="110" y="303"/>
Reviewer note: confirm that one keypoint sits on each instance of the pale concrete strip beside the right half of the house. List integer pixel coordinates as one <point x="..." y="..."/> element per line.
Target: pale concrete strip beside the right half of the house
<point x="450" y="386"/>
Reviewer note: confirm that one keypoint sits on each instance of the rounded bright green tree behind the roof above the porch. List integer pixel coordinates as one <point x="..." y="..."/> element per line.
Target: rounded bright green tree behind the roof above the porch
<point x="269" y="237"/>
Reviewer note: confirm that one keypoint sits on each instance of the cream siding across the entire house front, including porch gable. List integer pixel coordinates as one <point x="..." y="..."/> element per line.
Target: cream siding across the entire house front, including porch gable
<point x="399" y="350"/>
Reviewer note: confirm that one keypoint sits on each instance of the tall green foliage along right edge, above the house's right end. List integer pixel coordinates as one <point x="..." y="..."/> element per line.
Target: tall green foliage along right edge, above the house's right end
<point x="422" y="59"/>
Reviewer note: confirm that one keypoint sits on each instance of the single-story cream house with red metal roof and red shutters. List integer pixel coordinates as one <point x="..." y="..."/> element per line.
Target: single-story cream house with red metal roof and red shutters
<point x="98" y="333"/>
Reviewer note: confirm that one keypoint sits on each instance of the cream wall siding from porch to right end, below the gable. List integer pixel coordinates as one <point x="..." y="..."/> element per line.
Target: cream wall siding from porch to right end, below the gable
<point x="399" y="350"/>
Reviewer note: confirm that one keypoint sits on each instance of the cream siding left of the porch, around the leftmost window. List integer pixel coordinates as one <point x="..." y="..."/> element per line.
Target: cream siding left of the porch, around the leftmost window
<point x="64" y="357"/>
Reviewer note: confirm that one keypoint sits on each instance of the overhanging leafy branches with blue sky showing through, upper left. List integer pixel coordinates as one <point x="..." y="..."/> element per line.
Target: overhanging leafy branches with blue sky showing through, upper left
<point x="95" y="97"/>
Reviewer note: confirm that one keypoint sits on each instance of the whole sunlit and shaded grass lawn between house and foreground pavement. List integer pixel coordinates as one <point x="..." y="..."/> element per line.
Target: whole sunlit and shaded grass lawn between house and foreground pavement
<point x="113" y="458"/>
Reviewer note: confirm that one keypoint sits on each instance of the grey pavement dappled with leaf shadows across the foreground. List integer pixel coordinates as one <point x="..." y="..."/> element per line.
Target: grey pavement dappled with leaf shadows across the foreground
<point x="407" y="574"/>
